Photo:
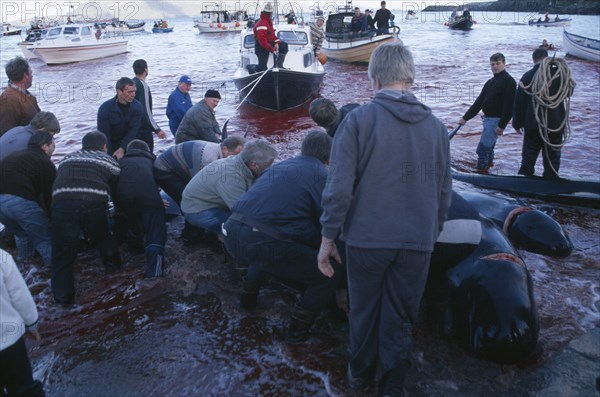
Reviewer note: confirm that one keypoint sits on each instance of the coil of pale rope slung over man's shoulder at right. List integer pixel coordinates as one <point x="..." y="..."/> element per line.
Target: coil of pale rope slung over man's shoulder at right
<point x="553" y="74"/>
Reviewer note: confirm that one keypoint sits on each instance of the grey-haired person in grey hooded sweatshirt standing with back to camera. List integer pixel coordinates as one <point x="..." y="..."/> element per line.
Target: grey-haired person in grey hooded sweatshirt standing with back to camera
<point x="390" y="232"/>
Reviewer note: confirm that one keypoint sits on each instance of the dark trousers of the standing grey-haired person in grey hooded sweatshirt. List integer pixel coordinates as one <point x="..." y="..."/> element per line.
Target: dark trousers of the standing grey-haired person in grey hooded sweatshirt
<point x="385" y="287"/>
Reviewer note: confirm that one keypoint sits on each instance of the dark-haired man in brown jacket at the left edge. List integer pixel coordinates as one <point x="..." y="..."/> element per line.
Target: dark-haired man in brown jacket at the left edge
<point x="17" y="105"/>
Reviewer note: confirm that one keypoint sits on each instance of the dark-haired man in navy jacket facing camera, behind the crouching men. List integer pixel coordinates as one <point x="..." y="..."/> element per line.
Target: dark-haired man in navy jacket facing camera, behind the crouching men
<point x="120" y="118"/>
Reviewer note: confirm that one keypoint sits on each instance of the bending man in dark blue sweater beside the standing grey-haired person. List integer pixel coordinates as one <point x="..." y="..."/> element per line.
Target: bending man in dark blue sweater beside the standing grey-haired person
<point x="275" y="228"/>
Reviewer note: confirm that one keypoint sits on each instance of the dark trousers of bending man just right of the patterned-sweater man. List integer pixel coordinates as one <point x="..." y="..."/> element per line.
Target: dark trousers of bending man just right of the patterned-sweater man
<point x="149" y="227"/>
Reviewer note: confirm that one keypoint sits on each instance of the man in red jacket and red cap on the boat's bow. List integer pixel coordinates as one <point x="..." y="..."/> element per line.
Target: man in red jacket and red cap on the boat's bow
<point x="266" y="41"/>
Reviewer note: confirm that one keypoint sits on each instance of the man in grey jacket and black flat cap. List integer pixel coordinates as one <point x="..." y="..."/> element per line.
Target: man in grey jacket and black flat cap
<point x="199" y="123"/>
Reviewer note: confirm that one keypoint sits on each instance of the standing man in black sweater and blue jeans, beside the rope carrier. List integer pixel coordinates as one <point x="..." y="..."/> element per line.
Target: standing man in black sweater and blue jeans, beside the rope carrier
<point x="496" y="101"/>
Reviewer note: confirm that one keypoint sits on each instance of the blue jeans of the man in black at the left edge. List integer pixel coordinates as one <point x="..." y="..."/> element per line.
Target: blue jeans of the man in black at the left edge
<point x="30" y="225"/>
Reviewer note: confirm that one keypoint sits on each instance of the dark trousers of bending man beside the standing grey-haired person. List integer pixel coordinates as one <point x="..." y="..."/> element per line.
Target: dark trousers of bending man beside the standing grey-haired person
<point x="293" y="263"/>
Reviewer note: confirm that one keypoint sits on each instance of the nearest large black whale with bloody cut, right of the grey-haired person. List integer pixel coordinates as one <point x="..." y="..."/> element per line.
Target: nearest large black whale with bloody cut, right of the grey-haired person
<point x="480" y="288"/>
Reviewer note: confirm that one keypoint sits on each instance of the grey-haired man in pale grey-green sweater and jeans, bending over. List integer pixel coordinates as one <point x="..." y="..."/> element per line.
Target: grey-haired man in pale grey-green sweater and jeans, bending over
<point x="210" y="195"/>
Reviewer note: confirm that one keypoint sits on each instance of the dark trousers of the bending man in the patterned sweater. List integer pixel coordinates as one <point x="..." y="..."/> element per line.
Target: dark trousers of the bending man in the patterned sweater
<point x="71" y="218"/>
